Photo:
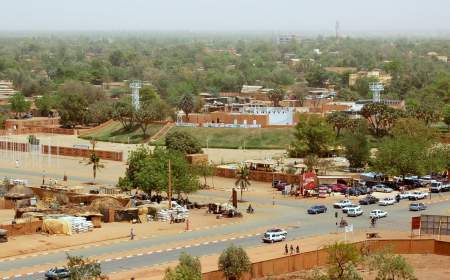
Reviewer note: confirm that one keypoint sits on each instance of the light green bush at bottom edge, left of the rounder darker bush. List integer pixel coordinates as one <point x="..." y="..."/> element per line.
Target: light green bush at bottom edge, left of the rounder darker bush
<point x="188" y="268"/>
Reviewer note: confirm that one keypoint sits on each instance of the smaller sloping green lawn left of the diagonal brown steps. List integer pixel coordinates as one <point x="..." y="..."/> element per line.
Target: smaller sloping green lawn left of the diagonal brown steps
<point x="116" y="133"/>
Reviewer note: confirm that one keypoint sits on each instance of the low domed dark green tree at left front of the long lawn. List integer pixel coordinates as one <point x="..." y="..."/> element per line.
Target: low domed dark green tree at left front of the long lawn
<point x="183" y="142"/>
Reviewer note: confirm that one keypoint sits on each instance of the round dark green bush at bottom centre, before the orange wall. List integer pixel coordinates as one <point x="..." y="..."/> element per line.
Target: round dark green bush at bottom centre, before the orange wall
<point x="234" y="262"/>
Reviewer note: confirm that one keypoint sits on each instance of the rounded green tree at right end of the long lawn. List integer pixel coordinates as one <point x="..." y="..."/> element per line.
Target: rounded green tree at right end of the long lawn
<point x="313" y="135"/>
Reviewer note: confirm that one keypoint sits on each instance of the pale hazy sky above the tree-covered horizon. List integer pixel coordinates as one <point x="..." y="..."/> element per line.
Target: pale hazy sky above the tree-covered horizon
<point x="270" y="15"/>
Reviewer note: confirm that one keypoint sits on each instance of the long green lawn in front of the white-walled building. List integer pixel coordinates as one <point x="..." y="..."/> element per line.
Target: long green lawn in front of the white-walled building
<point x="232" y="138"/>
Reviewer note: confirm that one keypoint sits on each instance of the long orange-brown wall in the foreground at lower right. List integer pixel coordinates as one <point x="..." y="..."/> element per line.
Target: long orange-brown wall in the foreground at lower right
<point x="309" y="260"/>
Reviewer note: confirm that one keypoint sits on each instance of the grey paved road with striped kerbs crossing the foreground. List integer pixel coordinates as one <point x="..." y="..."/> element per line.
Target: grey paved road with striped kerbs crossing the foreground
<point x="301" y="225"/>
